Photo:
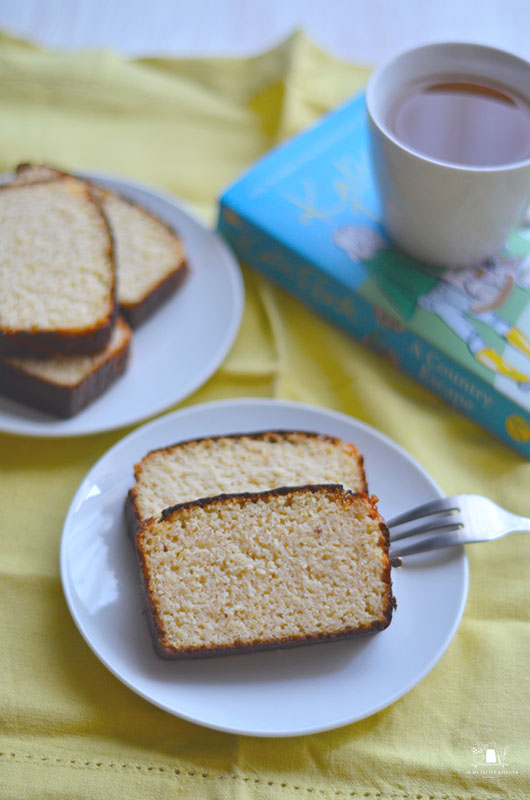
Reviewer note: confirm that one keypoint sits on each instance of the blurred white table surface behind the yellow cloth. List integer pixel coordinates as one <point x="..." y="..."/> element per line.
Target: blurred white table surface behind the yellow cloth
<point x="363" y="31"/>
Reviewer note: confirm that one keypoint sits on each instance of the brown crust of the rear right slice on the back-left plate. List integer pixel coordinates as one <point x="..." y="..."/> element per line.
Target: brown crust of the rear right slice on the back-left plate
<point x="134" y="313"/>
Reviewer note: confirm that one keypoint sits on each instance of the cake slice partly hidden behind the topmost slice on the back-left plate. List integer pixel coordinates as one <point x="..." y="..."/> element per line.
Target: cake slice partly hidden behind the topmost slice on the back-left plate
<point x="149" y="255"/>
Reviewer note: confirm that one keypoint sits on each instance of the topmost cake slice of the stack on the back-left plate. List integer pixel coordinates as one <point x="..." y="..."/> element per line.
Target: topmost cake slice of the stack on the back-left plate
<point x="57" y="275"/>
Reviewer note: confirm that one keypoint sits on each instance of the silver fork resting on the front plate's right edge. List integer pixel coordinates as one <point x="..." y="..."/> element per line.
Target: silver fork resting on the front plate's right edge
<point x="460" y="519"/>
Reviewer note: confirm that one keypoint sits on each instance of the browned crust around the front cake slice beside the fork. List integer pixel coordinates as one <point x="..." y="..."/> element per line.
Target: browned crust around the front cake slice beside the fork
<point x="166" y="651"/>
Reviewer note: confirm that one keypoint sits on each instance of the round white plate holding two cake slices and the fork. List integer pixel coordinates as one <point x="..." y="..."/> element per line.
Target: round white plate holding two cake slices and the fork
<point x="275" y="693"/>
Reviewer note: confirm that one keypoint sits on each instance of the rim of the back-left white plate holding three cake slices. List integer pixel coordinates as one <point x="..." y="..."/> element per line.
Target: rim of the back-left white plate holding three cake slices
<point x="37" y="429"/>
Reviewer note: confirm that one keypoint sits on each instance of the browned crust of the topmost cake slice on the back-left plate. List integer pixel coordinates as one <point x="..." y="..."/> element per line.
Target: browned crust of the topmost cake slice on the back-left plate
<point x="70" y="342"/>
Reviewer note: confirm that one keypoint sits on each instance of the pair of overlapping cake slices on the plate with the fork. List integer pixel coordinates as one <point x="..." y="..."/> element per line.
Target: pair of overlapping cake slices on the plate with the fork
<point x="253" y="541"/>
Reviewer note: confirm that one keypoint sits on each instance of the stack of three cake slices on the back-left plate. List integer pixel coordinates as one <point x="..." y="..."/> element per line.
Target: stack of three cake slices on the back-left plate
<point x="79" y="266"/>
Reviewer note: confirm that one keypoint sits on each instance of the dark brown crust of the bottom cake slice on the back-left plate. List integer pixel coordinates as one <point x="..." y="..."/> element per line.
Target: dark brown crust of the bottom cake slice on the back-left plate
<point x="63" y="401"/>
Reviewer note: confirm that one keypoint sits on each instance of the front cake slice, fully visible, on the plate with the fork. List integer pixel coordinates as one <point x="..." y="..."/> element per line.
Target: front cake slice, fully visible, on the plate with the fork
<point x="255" y="571"/>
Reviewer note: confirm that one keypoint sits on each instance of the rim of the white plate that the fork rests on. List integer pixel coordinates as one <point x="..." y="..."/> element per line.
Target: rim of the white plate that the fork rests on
<point x="209" y="406"/>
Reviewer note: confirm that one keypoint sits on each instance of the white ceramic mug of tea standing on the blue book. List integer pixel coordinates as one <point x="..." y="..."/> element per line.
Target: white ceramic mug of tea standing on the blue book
<point x="444" y="213"/>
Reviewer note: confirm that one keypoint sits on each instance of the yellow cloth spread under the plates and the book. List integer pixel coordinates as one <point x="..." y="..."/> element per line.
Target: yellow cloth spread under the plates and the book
<point x="70" y="729"/>
